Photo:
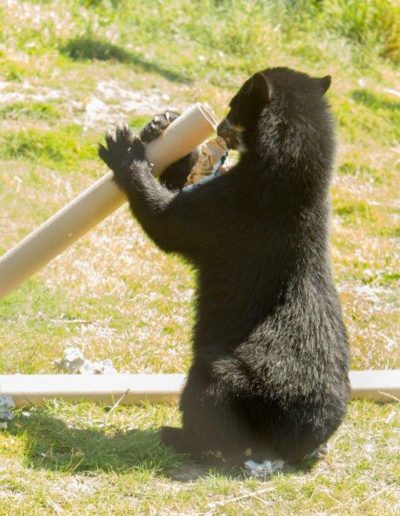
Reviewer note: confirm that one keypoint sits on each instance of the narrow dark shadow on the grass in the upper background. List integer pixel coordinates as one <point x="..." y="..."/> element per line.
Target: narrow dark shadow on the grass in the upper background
<point x="89" y="48"/>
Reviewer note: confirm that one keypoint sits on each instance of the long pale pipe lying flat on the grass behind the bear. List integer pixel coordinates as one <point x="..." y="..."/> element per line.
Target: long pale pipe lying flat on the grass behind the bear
<point x="28" y="390"/>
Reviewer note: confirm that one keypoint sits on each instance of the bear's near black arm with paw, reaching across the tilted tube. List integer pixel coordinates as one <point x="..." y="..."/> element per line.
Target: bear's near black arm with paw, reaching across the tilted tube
<point x="189" y="222"/>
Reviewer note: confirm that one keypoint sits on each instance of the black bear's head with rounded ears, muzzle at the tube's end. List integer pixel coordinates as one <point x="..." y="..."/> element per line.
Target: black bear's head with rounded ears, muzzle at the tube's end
<point x="275" y="110"/>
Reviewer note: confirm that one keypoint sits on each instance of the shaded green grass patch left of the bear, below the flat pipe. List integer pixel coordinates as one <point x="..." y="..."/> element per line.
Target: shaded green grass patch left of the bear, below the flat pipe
<point x="57" y="446"/>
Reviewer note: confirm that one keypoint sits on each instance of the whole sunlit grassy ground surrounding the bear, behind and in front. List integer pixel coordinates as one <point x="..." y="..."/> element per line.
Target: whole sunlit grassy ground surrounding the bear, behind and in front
<point x="68" y="72"/>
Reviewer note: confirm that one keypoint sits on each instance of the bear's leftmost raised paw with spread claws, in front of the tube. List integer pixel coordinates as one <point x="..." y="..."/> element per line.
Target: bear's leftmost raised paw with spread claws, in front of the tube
<point x="123" y="153"/>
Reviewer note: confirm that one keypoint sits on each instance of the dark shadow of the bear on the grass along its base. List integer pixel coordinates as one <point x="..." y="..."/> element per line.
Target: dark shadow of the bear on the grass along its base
<point x="52" y="444"/>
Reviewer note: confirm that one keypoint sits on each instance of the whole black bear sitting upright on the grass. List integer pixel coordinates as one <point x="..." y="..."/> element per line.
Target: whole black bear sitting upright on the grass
<point x="269" y="378"/>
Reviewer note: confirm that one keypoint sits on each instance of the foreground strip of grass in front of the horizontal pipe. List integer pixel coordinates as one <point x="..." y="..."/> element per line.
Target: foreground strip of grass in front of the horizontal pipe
<point x="84" y="458"/>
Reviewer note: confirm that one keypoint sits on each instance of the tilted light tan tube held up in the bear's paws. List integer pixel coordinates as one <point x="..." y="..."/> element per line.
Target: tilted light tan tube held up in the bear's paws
<point x="98" y="201"/>
